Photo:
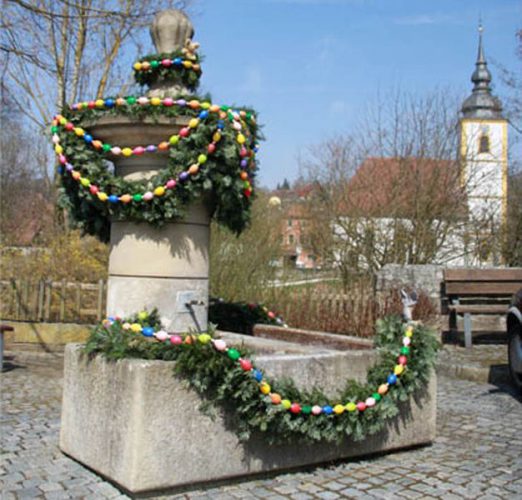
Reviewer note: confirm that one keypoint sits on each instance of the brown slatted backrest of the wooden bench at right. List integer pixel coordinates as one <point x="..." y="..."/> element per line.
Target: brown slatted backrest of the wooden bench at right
<point x="487" y="282"/>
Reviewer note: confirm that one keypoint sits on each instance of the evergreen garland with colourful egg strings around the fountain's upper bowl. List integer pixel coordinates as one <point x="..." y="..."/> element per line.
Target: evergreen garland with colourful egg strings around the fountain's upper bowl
<point x="213" y="157"/>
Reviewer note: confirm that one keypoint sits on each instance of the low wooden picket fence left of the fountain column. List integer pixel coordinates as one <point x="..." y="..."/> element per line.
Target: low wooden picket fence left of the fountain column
<point x="50" y="301"/>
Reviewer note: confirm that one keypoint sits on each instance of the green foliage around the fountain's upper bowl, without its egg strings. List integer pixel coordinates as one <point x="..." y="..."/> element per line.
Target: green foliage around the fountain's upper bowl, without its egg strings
<point x="218" y="183"/>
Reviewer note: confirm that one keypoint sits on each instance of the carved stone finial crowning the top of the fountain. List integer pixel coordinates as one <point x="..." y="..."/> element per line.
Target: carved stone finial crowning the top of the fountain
<point x="170" y="30"/>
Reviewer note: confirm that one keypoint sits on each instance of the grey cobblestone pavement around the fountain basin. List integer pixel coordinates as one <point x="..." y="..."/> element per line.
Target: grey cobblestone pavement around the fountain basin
<point x="477" y="454"/>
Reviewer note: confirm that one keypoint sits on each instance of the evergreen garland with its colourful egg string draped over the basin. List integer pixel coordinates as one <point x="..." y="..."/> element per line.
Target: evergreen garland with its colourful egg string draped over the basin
<point x="226" y="377"/>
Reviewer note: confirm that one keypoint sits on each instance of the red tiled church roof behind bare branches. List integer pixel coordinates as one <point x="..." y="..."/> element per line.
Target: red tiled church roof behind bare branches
<point x="405" y="188"/>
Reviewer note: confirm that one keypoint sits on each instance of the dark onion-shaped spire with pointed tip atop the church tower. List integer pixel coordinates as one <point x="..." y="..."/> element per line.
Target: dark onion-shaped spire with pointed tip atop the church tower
<point x="481" y="104"/>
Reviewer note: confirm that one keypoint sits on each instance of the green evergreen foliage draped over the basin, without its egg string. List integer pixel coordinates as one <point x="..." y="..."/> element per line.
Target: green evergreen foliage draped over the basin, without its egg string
<point x="222" y="382"/>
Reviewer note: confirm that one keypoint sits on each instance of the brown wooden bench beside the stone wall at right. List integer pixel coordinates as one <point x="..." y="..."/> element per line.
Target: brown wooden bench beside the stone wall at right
<point x="479" y="291"/>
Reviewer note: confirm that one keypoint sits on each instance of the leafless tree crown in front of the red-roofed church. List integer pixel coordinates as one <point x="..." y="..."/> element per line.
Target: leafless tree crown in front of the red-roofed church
<point x="393" y="191"/>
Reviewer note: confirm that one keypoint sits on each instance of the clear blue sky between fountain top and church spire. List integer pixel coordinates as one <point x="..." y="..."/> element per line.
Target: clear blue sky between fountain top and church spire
<point x="311" y="67"/>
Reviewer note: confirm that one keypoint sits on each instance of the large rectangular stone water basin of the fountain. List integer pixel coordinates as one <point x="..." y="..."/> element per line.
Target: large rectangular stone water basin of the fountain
<point x="137" y="425"/>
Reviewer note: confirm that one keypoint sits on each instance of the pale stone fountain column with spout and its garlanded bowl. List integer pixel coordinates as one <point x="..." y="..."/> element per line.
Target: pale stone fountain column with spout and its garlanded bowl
<point x="150" y="267"/>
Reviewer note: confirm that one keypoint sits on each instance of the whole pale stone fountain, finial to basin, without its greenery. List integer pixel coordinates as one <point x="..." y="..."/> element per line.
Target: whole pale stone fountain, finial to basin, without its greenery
<point x="135" y="424"/>
